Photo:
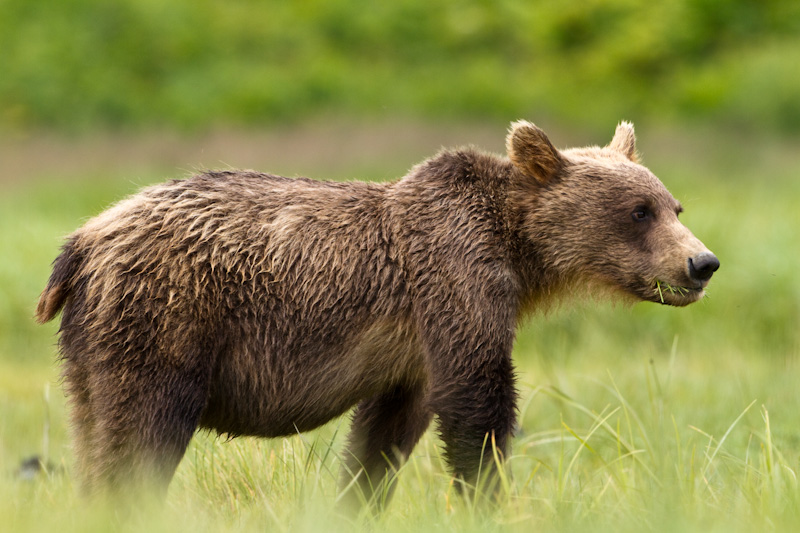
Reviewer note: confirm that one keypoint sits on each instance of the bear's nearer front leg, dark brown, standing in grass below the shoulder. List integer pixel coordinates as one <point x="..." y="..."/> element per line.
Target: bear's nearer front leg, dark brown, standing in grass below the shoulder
<point x="473" y="394"/>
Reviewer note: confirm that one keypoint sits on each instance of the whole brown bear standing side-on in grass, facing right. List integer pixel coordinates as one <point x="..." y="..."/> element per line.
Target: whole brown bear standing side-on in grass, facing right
<point x="253" y="304"/>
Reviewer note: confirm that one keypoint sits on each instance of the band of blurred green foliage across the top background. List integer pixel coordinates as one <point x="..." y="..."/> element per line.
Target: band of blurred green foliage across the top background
<point x="75" y="65"/>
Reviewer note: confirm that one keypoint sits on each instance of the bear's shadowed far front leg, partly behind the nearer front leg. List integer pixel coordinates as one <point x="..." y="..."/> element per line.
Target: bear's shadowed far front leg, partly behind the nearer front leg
<point x="385" y="430"/>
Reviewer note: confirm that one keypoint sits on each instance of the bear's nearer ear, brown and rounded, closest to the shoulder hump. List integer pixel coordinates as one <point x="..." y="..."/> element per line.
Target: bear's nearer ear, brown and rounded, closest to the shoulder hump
<point x="532" y="152"/>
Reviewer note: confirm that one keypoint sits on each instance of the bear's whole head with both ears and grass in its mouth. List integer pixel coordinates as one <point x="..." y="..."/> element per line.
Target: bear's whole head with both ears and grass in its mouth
<point x="597" y="217"/>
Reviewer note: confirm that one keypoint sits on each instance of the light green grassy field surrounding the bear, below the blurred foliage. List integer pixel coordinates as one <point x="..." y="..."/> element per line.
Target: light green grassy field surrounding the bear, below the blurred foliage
<point x="632" y="418"/>
